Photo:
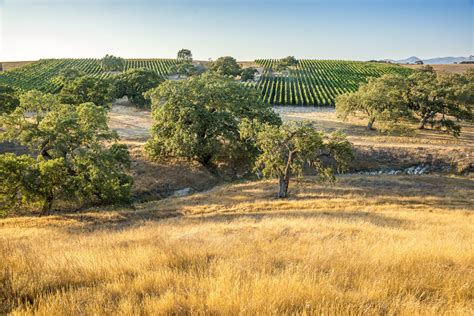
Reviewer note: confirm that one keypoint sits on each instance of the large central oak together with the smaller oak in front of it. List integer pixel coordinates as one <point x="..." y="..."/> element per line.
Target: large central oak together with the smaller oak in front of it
<point x="213" y="119"/>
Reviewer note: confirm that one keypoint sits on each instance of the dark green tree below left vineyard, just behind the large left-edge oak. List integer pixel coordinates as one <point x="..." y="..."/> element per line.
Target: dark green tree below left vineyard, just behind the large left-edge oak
<point x="87" y="89"/>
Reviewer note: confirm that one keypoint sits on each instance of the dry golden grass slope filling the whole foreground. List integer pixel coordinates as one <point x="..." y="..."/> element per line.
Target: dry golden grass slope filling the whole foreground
<point x="375" y="245"/>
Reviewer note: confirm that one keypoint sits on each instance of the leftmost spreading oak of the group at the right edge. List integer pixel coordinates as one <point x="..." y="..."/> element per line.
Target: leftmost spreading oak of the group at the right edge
<point x="381" y="99"/>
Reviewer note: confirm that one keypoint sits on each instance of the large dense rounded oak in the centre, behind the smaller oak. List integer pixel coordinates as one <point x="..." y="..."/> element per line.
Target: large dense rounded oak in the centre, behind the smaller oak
<point x="198" y="118"/>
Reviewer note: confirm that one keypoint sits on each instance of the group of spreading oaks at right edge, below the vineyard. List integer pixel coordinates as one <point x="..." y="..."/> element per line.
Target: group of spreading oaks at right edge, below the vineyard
<point x="441" y="101"/>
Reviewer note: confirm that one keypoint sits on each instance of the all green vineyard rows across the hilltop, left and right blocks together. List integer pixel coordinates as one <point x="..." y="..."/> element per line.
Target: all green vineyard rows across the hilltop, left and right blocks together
<point x="311" y="82"/>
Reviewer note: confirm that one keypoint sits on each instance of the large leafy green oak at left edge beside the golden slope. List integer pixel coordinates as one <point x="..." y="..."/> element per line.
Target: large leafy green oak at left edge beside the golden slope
<point x="72" y="161"/>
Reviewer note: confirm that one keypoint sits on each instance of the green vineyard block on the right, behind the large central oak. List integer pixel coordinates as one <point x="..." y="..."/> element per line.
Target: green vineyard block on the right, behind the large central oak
<point x="317" y="82"/>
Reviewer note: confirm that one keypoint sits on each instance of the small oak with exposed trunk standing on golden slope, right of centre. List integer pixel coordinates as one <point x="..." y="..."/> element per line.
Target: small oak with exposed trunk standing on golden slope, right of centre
<point x="285" y="150"/>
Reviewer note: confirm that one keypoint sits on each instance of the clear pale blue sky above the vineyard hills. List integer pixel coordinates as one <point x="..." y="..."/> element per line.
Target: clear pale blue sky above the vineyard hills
<point x="337" y="29"/>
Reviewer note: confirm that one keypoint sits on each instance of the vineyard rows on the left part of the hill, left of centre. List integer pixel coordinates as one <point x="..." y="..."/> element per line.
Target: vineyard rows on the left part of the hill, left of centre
<point x="42" y="75"/>
